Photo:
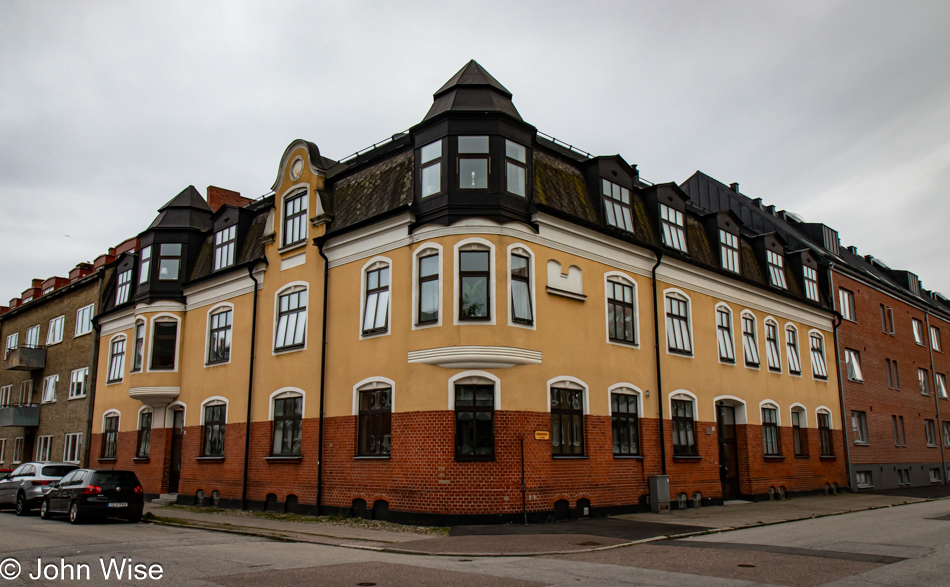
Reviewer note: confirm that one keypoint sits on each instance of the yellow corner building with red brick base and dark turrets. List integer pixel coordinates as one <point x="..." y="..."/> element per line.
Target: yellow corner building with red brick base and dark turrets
<point x="414" y="330"/>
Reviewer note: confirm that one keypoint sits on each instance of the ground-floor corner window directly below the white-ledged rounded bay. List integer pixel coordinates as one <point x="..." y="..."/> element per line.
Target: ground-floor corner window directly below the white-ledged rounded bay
<point x="474" y="421"/>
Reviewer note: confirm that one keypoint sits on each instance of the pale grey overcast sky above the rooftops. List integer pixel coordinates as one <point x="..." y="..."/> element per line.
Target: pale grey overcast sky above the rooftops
<point x="838" y="111"/>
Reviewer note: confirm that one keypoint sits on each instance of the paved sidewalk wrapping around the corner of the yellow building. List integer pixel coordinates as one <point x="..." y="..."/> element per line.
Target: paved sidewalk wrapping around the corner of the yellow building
<point x="535" y="539"/>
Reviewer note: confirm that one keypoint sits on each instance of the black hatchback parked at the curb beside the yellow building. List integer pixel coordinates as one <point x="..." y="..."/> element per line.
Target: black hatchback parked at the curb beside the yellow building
<point x="90" y="493"/>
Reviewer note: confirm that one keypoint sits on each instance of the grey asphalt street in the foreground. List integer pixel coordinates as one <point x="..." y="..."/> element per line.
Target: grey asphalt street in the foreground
<point x="903" y="545"/>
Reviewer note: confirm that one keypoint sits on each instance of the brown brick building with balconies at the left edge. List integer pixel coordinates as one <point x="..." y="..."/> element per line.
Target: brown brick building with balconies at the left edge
<point x="49" y="368"/>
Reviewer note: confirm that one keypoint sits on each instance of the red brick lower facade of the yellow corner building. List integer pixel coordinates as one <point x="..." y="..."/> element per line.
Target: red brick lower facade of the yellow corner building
<point x="423" y="478"/>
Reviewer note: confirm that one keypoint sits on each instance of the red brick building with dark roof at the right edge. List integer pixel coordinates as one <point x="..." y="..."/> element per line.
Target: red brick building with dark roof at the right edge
<point x="889" y="343"/>
